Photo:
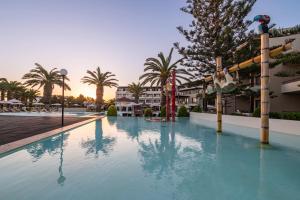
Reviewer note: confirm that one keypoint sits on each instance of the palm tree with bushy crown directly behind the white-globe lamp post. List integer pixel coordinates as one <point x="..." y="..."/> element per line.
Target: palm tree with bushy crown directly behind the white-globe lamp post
<point x="40" y="77"/>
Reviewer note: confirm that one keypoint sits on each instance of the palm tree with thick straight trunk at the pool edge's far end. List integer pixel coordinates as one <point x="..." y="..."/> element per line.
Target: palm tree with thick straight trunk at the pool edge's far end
<point x="100" y="80"/>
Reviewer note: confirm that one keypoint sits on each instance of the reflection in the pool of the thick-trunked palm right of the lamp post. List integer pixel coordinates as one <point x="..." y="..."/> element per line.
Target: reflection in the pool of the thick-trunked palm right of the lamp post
<point x="100" y="143"/>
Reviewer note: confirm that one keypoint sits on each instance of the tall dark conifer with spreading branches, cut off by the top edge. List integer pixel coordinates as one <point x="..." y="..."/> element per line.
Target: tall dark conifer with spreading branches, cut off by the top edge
<point x="217" y="29"/>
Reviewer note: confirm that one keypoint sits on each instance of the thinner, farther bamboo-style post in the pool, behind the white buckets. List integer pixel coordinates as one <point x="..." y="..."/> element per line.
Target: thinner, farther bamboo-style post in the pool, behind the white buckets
<point x="219" y="96"/>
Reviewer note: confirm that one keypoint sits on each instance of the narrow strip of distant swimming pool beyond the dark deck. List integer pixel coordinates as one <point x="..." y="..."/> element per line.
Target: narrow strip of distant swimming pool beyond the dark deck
<point x="48" y="114"/>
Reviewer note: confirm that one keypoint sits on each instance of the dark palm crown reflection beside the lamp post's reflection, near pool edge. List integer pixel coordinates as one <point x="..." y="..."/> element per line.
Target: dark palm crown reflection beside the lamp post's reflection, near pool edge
<point x="37" y="150"/>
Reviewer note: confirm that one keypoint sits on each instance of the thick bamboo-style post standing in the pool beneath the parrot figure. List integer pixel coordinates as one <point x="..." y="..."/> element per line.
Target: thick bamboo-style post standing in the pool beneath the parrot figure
<point x="264" y="89"/>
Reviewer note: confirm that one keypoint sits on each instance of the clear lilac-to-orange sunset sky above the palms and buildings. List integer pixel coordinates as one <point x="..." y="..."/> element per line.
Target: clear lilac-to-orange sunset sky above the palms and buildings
<point x="116" y="35"/>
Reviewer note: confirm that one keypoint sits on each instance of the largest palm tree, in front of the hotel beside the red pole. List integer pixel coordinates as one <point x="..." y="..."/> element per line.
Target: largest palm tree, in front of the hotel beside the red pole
<point x="159" y="70"/>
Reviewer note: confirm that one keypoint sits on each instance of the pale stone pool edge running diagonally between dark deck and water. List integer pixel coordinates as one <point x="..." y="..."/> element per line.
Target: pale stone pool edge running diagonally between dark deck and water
<point x="23" y="142"/>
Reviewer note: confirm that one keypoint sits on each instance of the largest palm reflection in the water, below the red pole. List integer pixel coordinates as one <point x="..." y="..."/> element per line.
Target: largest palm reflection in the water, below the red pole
<point x="159" y="157"/>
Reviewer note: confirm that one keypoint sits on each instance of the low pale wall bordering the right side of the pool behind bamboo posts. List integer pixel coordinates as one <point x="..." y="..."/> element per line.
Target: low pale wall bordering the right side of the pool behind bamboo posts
<point x="283" y="132"/>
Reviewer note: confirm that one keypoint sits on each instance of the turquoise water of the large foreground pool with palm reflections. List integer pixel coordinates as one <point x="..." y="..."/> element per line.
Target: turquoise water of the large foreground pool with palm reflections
<point x="129" y="158"/>
